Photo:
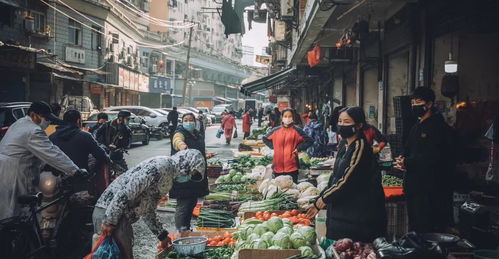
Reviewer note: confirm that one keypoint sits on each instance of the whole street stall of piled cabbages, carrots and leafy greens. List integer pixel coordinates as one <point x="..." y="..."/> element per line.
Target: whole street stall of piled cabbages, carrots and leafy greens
<point x="249" y="214"/>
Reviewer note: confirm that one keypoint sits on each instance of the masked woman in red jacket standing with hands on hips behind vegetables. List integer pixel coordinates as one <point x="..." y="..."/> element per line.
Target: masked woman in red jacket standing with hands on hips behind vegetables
<point x="287" y="140"/>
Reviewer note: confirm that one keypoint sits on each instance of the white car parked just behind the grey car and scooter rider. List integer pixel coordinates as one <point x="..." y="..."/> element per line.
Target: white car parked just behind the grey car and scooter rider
<point x="158" y="122"/>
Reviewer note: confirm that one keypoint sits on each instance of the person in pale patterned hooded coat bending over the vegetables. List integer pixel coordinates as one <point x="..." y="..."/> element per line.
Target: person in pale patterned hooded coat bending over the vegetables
<point x="136" y="194"/>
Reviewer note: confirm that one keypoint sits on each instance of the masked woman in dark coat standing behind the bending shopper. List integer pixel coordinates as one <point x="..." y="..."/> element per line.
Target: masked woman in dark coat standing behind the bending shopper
<point x="187" y="192"/>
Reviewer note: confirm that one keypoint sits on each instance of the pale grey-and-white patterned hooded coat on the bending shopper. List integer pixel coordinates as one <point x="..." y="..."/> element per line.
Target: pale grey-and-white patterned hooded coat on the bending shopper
<point x="137" y="192"/>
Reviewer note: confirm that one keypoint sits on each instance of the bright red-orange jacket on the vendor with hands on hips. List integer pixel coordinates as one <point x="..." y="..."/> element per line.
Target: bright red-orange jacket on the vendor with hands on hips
<point x="284" y="140"/>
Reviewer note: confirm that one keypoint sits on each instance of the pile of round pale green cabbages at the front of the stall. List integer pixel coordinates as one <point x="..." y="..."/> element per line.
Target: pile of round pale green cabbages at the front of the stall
<point x="275" y="233"/>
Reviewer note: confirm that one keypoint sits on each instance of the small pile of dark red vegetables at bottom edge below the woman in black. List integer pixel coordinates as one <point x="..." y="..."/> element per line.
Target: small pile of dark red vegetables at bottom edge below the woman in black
<point x="347" y="249"/>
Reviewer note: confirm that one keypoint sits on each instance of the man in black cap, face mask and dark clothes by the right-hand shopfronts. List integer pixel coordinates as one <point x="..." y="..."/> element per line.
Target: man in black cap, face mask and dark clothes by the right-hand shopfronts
<point x="428" y="163"/>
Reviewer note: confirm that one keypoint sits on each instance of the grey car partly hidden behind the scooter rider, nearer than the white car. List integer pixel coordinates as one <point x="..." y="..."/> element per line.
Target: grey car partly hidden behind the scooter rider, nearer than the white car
<point x="140" y="130"/>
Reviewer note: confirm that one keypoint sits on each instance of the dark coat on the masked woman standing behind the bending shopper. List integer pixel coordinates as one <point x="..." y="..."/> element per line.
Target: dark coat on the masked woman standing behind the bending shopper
<point x="190" y="189"/>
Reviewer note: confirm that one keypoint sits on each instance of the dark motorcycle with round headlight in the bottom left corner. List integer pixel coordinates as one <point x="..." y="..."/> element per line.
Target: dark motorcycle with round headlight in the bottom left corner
<point x="58" y="223"/>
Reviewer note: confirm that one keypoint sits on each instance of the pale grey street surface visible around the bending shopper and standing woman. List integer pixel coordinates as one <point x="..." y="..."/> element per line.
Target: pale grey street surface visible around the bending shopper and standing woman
<point x="145" y="242"/>
